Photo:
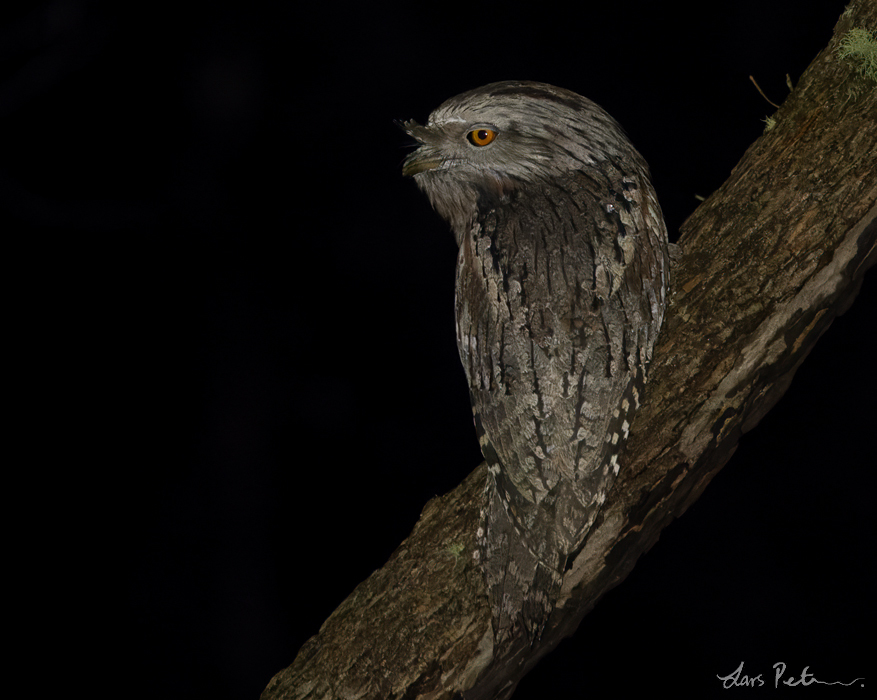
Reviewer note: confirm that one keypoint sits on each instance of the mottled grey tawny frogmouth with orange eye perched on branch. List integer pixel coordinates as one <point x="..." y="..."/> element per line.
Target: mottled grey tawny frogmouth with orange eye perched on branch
<point x="562" y="282"/>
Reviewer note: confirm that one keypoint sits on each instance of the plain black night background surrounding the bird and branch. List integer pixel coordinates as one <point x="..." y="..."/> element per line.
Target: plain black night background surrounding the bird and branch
<point x="233" y="320"/>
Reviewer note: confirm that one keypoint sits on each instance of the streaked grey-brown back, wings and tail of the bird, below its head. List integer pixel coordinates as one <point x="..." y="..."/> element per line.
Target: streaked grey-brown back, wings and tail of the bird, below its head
<point x="554" y="330"/>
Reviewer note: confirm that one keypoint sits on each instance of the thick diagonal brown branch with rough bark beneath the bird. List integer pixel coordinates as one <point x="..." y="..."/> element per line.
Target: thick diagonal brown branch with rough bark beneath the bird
<point x="769" y="260"/>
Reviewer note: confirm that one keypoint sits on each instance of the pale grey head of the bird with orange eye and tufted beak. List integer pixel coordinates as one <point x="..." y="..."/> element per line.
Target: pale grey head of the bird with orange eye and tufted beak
<point x="485" y="143"/>
